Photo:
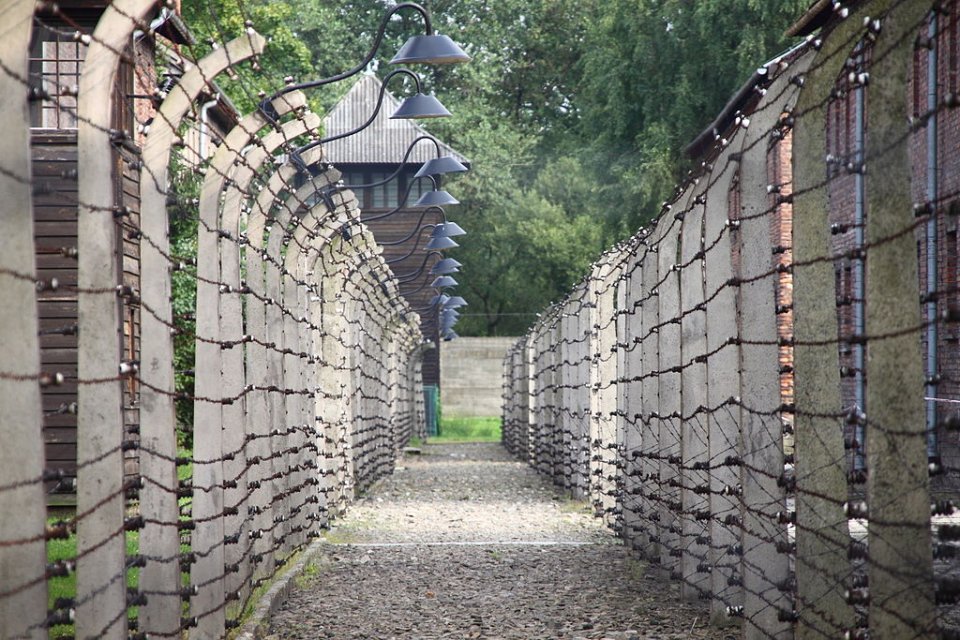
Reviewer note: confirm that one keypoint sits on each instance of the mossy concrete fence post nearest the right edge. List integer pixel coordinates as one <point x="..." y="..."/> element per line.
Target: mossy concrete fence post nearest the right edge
<point x="901" y="566"/>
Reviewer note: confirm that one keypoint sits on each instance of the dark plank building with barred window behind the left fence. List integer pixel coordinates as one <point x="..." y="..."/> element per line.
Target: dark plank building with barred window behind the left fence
<point x="56" y="62"/>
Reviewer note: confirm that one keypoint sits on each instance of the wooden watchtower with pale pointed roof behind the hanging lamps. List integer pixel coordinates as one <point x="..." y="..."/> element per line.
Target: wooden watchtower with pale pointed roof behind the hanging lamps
<point x="372" y="156"/>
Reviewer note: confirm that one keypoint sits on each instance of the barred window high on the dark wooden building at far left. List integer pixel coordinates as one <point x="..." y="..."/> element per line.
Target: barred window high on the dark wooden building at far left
<point x="56" y="61"/>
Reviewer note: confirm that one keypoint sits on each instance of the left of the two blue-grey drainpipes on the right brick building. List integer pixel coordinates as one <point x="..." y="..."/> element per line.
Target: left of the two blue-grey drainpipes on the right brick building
<point x="859" y="290"/>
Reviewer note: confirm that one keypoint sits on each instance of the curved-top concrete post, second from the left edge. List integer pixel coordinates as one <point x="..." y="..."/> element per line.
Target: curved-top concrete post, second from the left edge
<point x="101" y="588"/>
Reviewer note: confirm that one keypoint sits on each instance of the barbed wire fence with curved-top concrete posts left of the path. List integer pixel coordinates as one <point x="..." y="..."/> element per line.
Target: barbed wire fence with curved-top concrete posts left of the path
<point x="306" y="381"/>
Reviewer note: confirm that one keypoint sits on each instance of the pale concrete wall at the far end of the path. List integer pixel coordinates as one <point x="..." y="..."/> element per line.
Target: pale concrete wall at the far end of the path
<point x="471" y="376"/>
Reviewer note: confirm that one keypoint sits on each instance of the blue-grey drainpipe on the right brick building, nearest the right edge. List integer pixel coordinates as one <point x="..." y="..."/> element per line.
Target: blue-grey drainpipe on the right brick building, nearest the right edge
<point x="932" y="267"/>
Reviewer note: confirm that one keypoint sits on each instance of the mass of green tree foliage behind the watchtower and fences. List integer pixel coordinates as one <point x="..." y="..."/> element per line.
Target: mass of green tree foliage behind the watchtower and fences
<point x="572" y="112"/>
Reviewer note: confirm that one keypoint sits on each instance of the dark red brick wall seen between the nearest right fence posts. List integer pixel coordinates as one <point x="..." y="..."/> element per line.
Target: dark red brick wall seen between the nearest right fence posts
<point x="841" y="190"/>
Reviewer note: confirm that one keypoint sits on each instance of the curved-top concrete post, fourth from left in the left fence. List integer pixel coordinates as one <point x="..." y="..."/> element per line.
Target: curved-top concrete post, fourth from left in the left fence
<point x="219" y="373"/>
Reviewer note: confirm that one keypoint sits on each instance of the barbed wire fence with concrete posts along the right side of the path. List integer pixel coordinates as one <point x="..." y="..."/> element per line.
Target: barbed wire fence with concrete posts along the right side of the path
<point x="758" y="390"/>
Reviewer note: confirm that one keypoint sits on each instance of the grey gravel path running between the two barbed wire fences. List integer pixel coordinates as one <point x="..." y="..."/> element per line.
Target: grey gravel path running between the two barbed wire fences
<point x="464" y="542"/>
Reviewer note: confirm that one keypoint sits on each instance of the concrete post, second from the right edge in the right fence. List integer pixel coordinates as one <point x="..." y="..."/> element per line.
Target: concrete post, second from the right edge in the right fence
<point x="822" y="566"/>
